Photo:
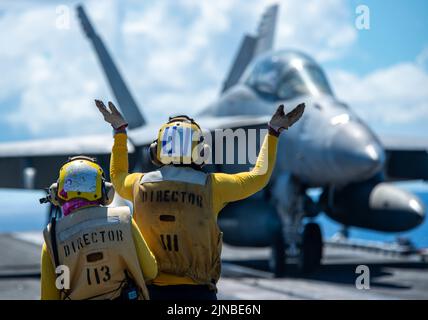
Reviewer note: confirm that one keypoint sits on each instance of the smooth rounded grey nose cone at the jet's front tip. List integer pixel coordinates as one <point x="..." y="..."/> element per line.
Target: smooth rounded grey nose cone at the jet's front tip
<point x="356" y="154"/>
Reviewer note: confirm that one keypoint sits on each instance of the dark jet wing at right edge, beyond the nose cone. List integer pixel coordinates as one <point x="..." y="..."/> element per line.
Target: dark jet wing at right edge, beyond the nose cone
<point x="406" y="158"/>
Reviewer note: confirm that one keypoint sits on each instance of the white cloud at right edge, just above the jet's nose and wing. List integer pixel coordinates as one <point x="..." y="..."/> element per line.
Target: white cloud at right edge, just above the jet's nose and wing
<point x="387" y="97"/>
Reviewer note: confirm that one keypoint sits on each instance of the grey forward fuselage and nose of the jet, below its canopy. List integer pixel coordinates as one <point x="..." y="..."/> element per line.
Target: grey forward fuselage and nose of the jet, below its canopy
<point x="329" y="145"/>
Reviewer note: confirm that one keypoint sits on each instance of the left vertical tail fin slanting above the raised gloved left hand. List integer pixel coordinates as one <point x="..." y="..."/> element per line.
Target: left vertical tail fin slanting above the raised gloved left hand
<point x="123" y="96"/>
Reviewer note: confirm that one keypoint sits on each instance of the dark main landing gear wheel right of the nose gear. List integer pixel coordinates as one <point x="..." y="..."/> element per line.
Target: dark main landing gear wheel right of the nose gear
<point x="311" y="248"/>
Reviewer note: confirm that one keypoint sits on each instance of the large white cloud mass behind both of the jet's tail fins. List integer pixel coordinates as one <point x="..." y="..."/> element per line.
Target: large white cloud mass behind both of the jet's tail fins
<point x="173" y="54"/>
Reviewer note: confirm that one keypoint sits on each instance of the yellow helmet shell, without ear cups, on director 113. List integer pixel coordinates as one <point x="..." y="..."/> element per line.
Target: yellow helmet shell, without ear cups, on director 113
<point x="81" y="177"/>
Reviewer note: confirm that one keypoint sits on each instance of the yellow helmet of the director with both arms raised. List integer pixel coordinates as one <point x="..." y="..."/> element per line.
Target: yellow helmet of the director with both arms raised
<point x="179" y="142"/>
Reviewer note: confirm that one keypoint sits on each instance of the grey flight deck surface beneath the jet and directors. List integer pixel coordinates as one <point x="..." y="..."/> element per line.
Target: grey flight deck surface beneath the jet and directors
<point x="245" y="274"/>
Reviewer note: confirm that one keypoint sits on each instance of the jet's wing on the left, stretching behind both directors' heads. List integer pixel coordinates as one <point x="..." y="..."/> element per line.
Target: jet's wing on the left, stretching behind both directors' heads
<point x="35" y="164"/>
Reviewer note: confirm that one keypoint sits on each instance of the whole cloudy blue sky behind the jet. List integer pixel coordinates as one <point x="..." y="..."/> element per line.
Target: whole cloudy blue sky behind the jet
<point x="174" y="55"/>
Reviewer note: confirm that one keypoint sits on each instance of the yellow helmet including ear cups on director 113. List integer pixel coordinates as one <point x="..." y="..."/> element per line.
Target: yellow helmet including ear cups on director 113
<point x="81" y="177"/>
